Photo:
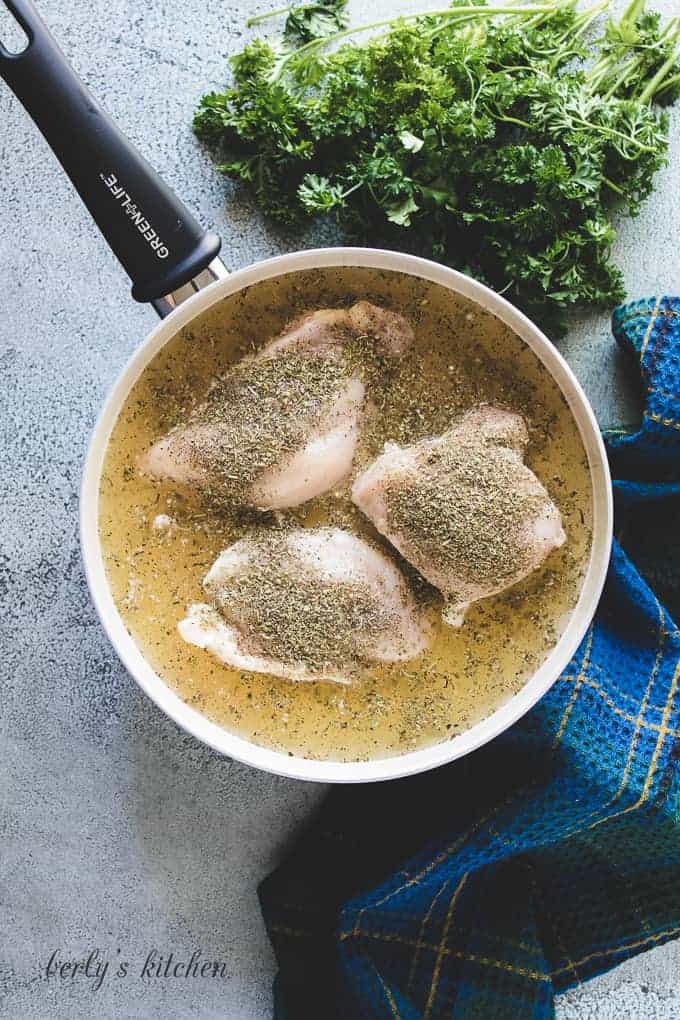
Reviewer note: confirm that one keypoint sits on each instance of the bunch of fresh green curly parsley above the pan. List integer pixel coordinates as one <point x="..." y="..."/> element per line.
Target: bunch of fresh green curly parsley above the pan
<point x="495" y="139"/>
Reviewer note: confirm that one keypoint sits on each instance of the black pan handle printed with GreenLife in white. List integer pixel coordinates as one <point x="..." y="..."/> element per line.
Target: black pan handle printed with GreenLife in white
<point x="161" y="245"/>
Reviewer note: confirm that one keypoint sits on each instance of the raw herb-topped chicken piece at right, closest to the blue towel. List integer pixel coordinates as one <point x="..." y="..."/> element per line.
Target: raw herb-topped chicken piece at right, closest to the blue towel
<point x="463" y="508"/>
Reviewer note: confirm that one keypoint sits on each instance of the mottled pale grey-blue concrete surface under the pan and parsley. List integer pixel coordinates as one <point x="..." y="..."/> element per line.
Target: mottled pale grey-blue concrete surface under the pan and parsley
<point x="120" y="833"/>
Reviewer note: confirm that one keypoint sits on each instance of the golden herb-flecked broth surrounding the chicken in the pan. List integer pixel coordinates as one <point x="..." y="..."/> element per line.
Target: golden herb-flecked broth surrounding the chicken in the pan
<point x="462" y="356"/>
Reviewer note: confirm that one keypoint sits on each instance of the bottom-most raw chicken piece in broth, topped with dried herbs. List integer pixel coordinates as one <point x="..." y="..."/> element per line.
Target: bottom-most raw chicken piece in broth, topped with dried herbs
<point x="307" y="605"/>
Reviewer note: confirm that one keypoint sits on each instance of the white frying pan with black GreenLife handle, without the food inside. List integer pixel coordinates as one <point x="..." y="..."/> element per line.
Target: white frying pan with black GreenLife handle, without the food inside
<point x="174" y="265"/>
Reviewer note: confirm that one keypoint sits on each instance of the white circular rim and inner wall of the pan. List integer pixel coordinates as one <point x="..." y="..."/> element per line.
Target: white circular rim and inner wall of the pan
<point x="415" y="761"/>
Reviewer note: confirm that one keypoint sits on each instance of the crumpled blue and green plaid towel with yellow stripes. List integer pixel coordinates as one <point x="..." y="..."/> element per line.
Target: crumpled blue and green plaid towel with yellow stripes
<point x="482" y="890"/>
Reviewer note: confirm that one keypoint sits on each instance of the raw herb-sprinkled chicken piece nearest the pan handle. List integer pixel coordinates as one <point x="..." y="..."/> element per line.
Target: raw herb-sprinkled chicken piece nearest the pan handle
<point x="282" y="427"/>
